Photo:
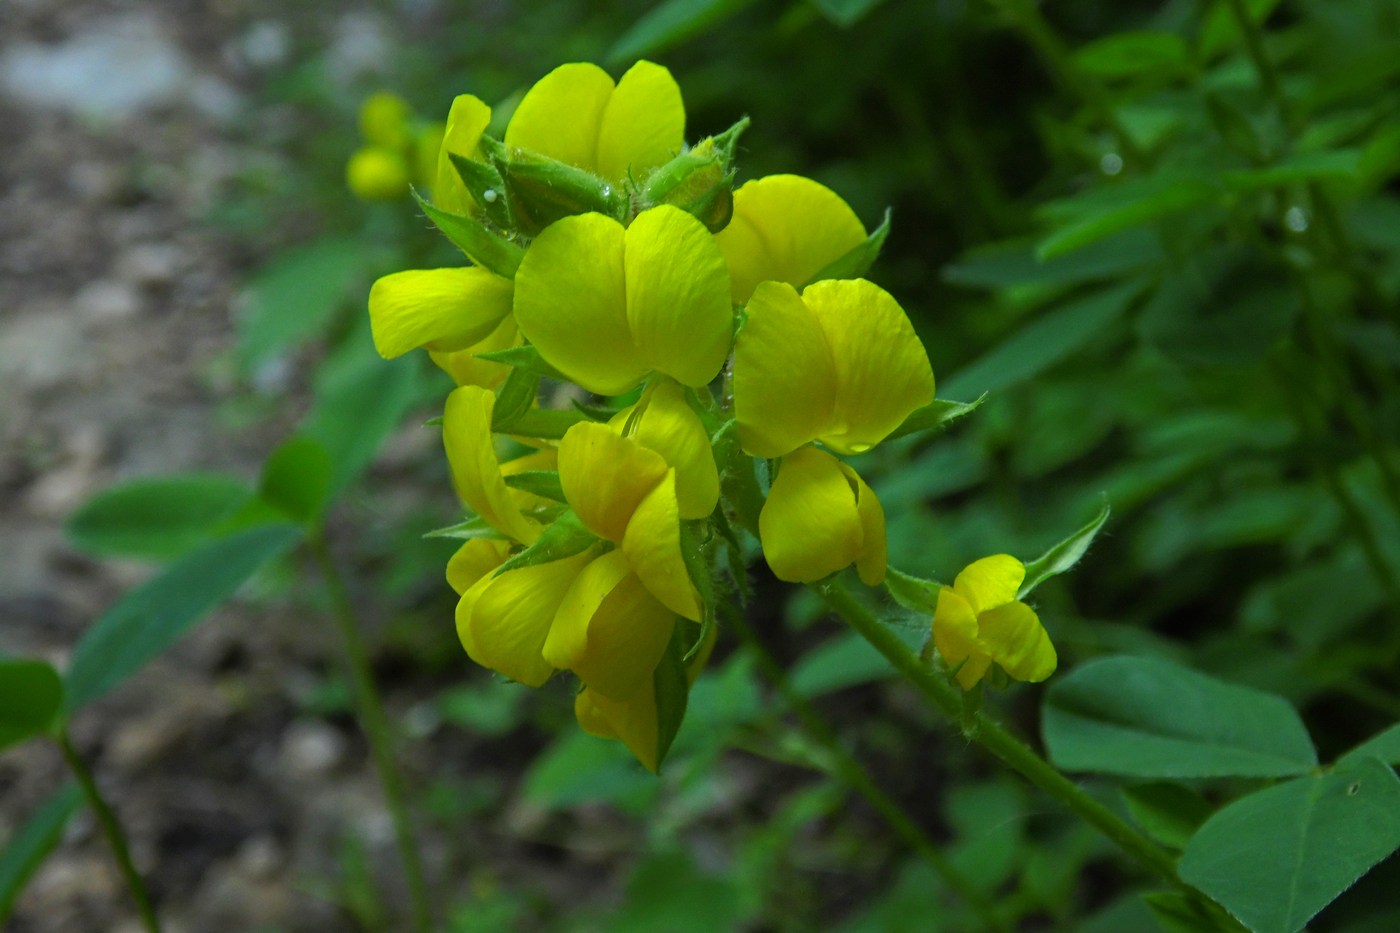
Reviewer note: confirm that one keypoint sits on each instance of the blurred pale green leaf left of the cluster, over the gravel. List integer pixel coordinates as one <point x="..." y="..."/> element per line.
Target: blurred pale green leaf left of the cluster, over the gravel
<point x="296" y="296"/>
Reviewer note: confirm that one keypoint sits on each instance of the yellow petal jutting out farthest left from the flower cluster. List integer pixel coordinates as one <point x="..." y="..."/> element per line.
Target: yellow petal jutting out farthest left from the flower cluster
<point x="440" y="309"/>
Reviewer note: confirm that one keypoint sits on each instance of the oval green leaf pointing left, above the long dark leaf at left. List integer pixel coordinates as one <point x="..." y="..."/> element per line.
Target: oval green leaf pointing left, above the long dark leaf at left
<point x="156" y="518"/>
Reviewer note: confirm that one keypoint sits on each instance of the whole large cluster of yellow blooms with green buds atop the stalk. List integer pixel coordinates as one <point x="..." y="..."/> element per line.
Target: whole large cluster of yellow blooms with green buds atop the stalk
<point x="736" y="350"/>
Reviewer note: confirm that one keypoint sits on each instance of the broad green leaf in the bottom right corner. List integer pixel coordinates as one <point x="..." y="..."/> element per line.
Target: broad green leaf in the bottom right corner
<point x="1279" y="857"/>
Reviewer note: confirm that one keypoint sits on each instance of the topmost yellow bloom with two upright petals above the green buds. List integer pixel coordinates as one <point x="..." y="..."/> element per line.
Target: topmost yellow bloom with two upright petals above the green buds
<point x="577" y="116"/>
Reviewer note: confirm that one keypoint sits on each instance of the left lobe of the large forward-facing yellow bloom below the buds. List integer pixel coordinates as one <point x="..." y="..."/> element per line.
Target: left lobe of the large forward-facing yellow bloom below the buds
<point x="572" y="303"/>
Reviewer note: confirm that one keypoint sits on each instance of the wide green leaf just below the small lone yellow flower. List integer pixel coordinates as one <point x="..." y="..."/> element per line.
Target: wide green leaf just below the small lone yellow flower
<point x="1146" y="718"/>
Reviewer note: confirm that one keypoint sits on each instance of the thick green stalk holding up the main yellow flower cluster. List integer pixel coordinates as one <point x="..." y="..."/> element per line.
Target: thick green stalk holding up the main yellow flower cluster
<point x="992" y="736"/>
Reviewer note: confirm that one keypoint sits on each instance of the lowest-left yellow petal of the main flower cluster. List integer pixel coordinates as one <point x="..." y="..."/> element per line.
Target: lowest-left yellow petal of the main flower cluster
<point x="503" y="621"/>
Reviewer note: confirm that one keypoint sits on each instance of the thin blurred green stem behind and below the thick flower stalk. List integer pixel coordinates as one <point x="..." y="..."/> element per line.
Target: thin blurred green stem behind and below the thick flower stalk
<point x="855" y="777"/>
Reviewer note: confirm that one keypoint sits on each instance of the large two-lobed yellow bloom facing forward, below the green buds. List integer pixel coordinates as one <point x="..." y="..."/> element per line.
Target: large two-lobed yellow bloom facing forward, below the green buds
<point x="608" y="306"/>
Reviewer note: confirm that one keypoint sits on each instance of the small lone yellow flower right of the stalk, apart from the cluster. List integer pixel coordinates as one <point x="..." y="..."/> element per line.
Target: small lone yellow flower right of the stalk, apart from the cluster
<point x="979" y="621"/>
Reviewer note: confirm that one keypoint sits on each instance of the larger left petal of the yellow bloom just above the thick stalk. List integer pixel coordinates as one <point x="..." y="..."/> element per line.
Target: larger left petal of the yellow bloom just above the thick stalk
<point x="810" y="527"/>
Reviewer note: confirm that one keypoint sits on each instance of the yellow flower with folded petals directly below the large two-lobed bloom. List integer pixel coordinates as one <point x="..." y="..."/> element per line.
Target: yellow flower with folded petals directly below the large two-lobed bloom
<point x="636" y="495"/>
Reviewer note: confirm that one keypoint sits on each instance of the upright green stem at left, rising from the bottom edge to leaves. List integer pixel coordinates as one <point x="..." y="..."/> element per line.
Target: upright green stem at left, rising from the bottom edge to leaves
<point x="377" y="731"/>
